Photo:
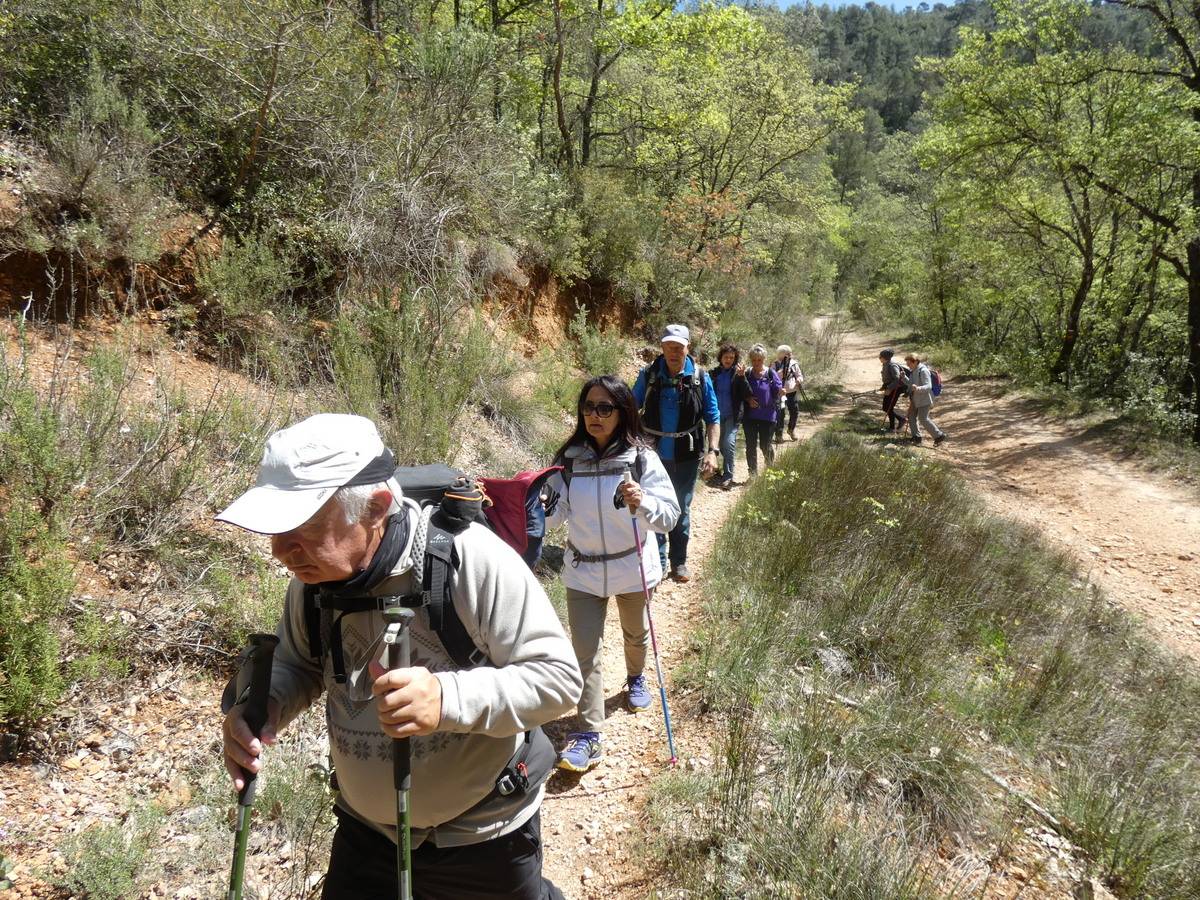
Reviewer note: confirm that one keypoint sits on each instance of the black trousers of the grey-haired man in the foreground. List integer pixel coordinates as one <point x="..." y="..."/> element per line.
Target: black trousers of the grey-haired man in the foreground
<point x="363" y="867"/>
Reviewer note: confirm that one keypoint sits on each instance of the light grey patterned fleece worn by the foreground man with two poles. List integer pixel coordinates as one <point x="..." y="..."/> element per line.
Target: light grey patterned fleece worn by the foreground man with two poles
<point x="530" y="679"/>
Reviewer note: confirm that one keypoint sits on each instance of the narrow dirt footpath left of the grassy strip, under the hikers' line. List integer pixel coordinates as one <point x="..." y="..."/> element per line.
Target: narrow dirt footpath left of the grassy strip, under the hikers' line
<point x="593" y="825"/>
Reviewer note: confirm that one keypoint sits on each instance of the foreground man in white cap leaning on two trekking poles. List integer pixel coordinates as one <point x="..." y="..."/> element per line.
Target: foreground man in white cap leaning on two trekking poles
<point x="338" y="519"/>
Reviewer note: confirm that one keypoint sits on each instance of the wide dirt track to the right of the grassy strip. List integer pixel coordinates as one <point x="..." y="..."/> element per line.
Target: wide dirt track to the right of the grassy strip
<point x="1136" y="535"/>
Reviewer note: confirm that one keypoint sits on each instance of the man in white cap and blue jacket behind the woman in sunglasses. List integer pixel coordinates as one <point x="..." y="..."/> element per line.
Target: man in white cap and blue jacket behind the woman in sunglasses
<point x="679" y="407"/>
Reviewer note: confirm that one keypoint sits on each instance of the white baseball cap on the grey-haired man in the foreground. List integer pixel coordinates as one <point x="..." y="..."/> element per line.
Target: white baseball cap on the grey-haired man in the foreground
<point x="304" y="466"/>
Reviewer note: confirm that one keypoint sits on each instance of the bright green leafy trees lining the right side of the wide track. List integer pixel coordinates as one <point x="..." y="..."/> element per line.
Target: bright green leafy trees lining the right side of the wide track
<point x="1041" y="209"/>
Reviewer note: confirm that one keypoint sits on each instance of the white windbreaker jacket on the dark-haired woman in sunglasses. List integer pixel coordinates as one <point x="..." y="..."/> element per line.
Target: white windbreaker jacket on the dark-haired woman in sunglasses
<point x="596" y="527"/>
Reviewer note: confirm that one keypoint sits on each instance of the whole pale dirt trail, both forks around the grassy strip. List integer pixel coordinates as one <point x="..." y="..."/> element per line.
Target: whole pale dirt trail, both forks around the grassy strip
<point x="1136" y="535"/>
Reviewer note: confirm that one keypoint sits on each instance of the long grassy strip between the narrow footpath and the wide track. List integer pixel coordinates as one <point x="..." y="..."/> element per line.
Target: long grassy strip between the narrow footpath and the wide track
<point x="879" y="647"/>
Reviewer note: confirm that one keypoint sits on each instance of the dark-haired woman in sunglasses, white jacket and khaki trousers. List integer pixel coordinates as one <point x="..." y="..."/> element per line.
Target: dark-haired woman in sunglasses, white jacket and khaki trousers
<point x="602" y="557"/>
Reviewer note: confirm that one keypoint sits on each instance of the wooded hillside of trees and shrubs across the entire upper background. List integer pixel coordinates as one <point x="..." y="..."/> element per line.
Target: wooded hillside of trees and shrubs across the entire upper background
<point x="1013" y="178"/>
